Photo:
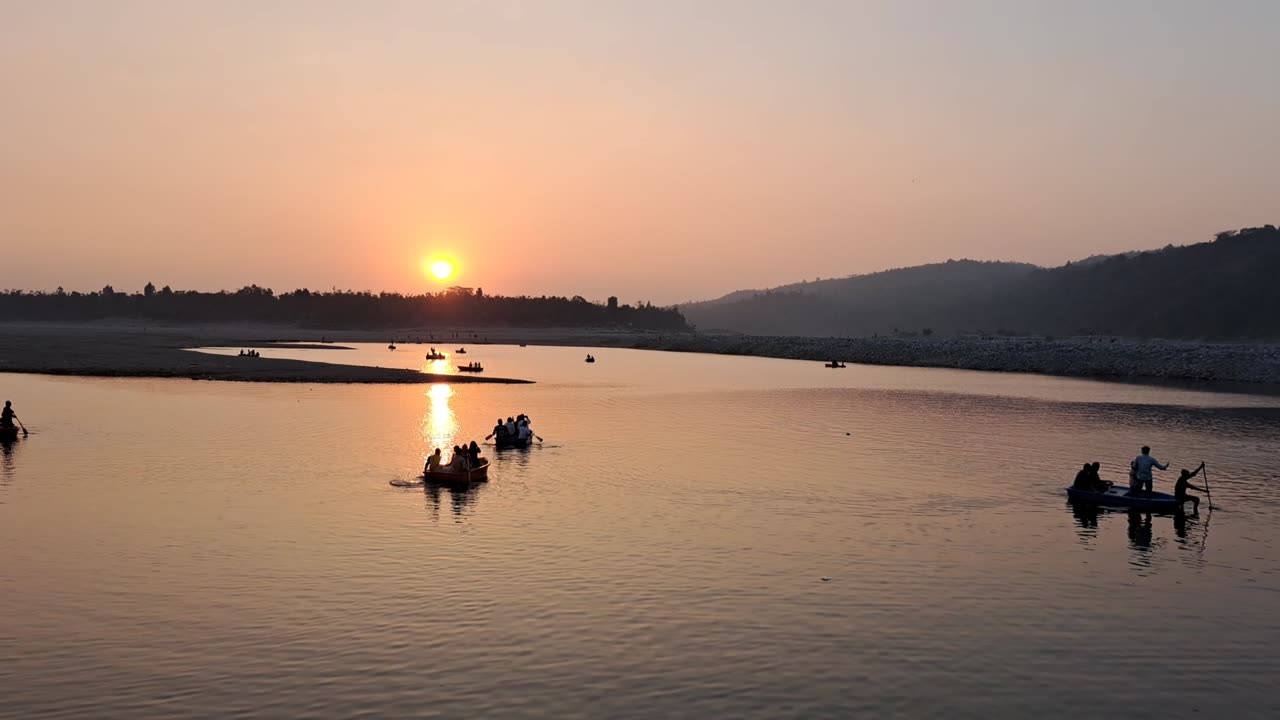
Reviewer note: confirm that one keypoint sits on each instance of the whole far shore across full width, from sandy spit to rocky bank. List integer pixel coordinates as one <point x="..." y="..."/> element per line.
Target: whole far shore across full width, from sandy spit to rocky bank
<point x="136" y="350"/>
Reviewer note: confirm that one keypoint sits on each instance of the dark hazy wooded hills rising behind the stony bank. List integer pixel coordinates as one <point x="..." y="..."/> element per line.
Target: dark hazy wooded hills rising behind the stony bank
<point x="1224" y="289"/>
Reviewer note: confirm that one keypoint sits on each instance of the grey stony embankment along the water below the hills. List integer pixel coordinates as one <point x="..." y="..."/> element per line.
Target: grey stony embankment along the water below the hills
<point x="1086" y="357"/>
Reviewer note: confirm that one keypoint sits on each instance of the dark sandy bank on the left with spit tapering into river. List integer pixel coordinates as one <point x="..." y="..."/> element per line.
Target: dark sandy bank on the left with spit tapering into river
<point x="125" y="352"/>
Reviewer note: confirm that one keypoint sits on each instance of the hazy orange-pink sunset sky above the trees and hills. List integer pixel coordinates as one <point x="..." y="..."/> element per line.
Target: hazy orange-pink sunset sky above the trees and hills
<point x="653" y="151"/>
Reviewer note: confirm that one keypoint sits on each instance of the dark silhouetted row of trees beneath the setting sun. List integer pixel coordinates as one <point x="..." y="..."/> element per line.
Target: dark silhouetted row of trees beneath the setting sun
<point x="336" y="309"/>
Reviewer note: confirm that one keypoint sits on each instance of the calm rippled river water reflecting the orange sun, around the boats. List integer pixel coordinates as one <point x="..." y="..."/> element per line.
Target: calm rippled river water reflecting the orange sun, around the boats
<point x="177" y="549"/>
